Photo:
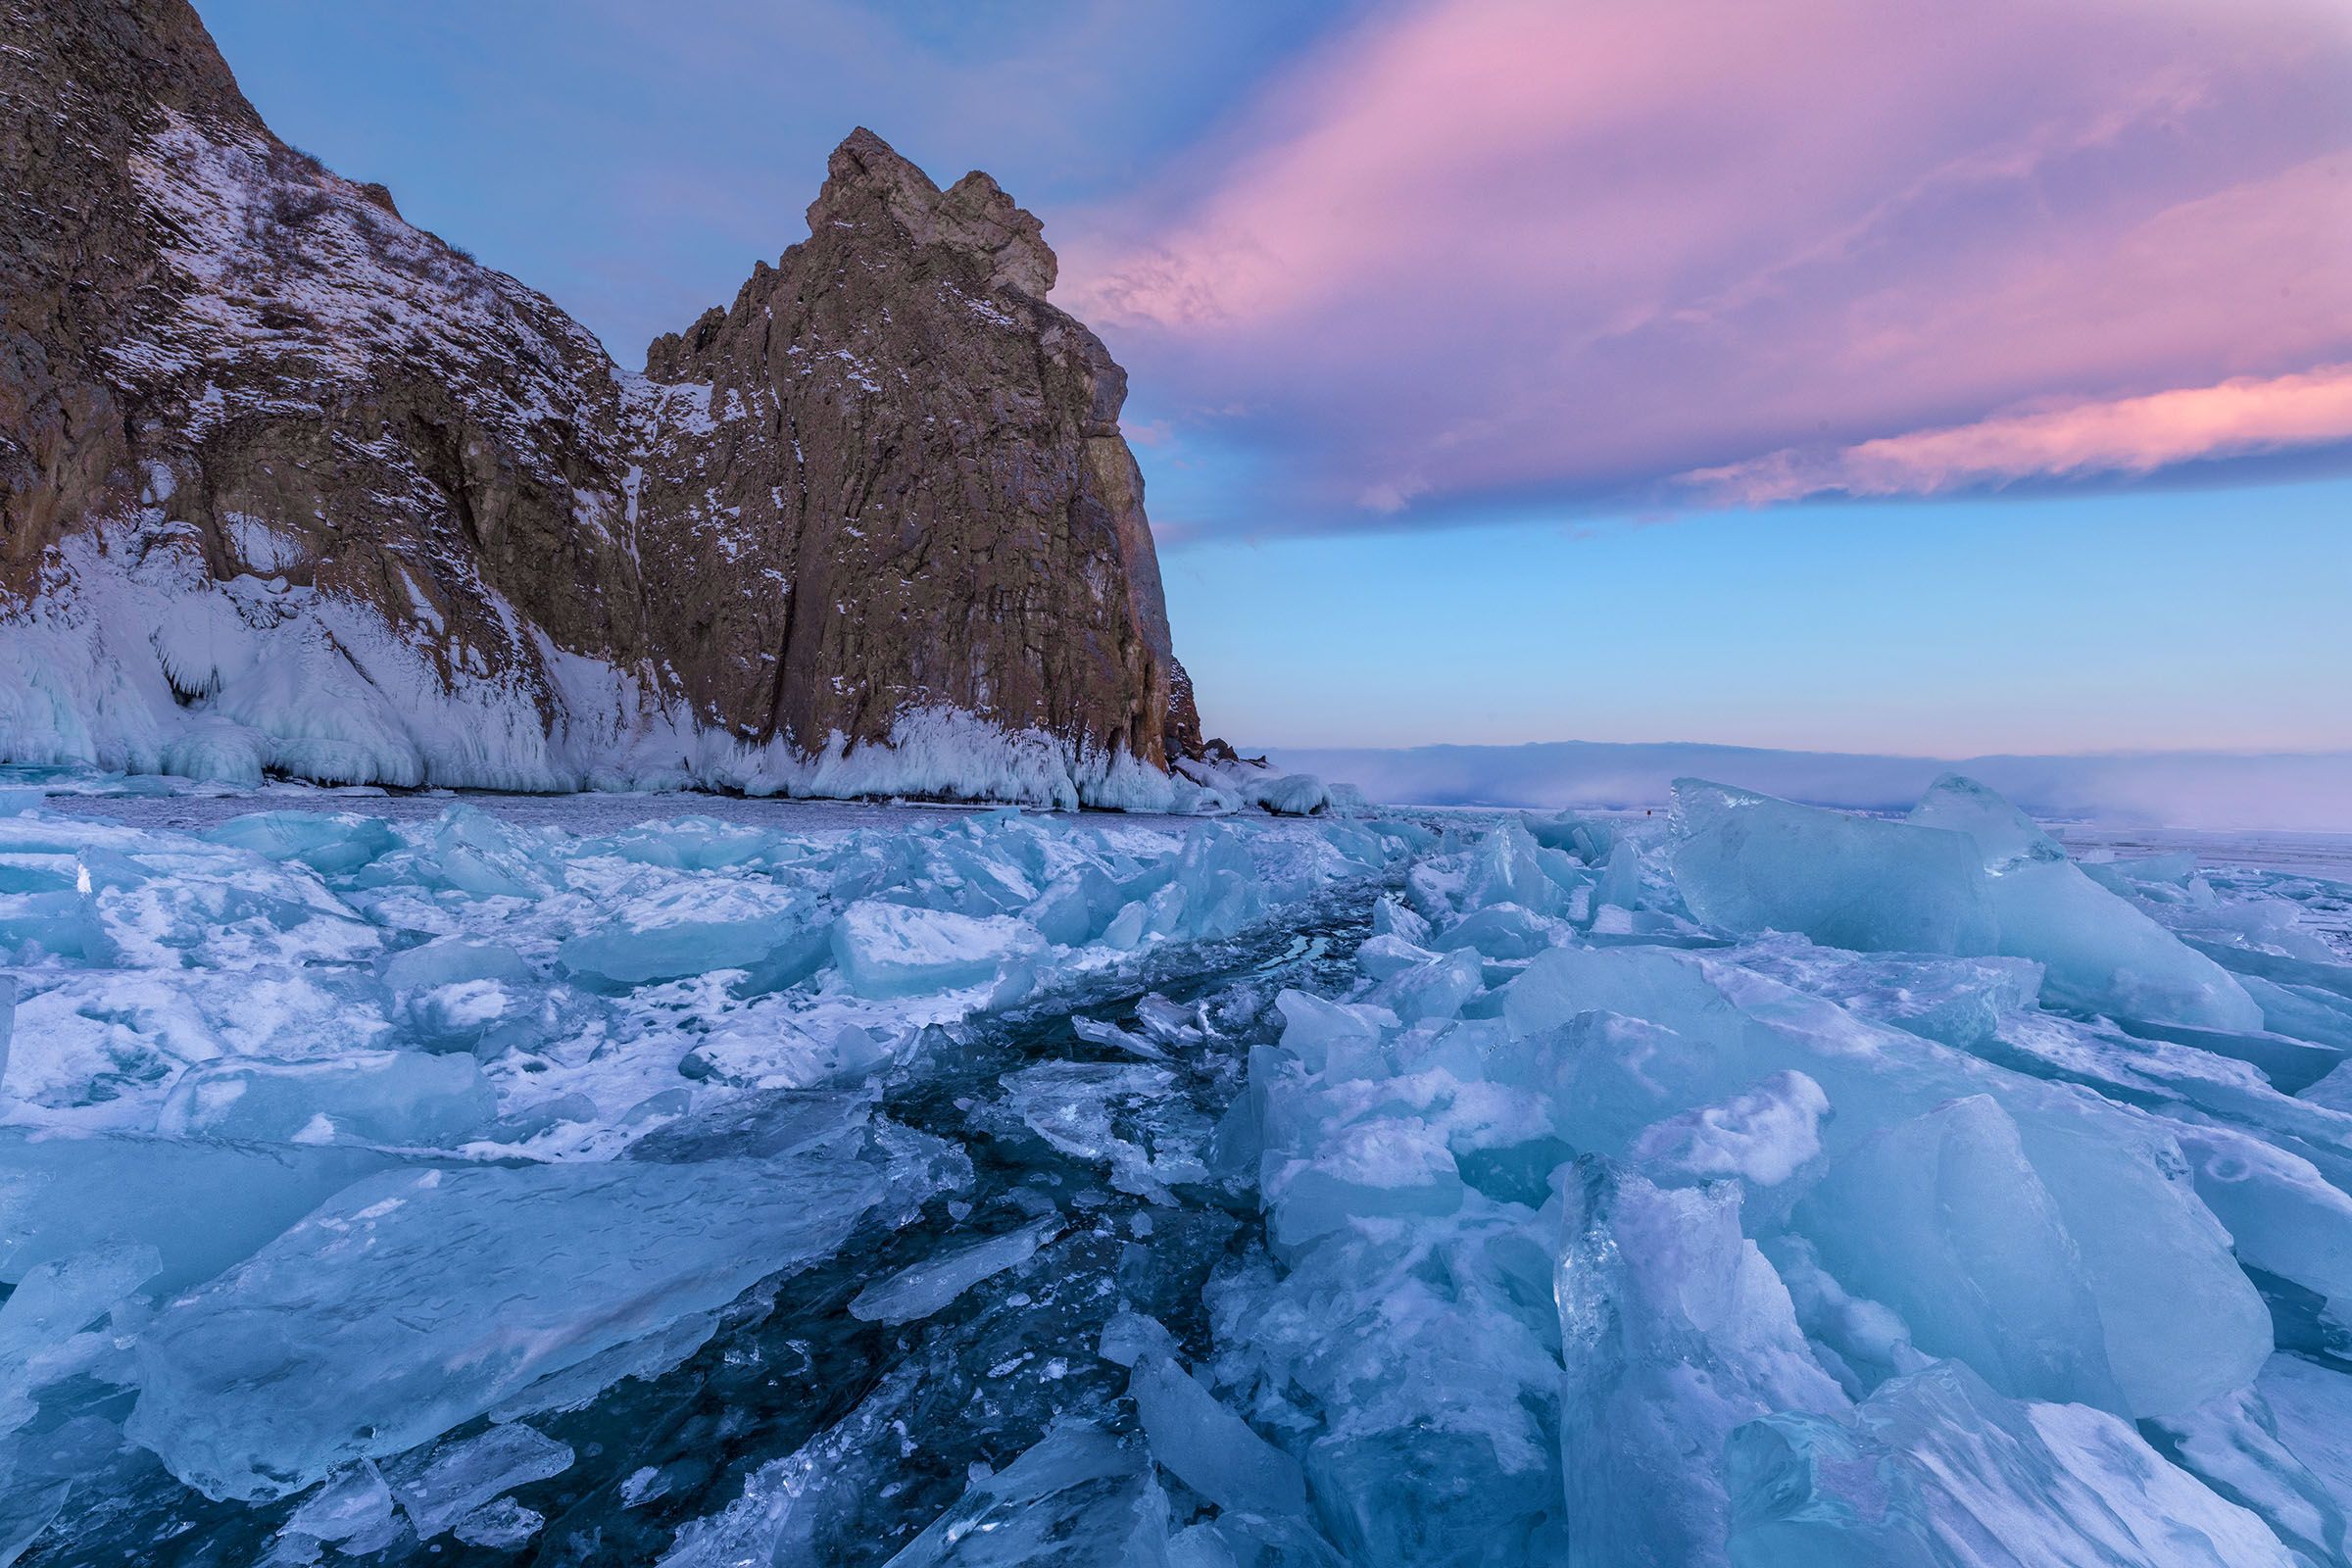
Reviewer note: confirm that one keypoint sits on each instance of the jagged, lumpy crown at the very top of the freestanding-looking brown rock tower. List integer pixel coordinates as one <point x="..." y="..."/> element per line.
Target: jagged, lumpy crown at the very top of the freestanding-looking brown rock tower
<point x="973" y="215"/>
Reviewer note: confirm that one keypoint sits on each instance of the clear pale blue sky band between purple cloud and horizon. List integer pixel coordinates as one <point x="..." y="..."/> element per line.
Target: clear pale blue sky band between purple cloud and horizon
<point x="1949" y="629"/>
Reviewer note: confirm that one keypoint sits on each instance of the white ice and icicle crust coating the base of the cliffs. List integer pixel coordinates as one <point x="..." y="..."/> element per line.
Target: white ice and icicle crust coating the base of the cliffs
<point x="135" y="659"/>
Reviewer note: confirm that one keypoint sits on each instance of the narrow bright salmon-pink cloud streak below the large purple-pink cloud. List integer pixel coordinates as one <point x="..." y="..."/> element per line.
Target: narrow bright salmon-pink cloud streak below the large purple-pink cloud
<point x="2116" y="436"/>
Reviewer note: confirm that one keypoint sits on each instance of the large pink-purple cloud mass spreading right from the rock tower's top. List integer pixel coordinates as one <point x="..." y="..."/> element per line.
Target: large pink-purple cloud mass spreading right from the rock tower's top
<point x="1537" y="248"/>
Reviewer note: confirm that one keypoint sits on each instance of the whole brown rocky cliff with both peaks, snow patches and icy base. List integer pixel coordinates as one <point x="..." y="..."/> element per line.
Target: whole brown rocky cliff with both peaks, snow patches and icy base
<point x="290" y="485"/>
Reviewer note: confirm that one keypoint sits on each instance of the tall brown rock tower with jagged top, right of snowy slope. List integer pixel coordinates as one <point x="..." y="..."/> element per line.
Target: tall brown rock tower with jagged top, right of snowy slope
<point x="928" y="460"/>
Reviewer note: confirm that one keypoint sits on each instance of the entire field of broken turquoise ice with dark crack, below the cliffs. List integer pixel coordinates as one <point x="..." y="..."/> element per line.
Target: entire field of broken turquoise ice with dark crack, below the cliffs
<point x="1739" y="1186"/>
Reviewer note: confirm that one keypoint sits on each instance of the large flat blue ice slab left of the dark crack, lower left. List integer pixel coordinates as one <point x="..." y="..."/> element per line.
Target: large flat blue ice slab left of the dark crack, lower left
<point x="417" y="1301"/>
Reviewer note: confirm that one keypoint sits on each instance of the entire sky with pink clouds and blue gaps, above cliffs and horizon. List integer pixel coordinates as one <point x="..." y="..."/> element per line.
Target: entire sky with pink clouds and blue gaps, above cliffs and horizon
<point x="1490" y="389"/>
